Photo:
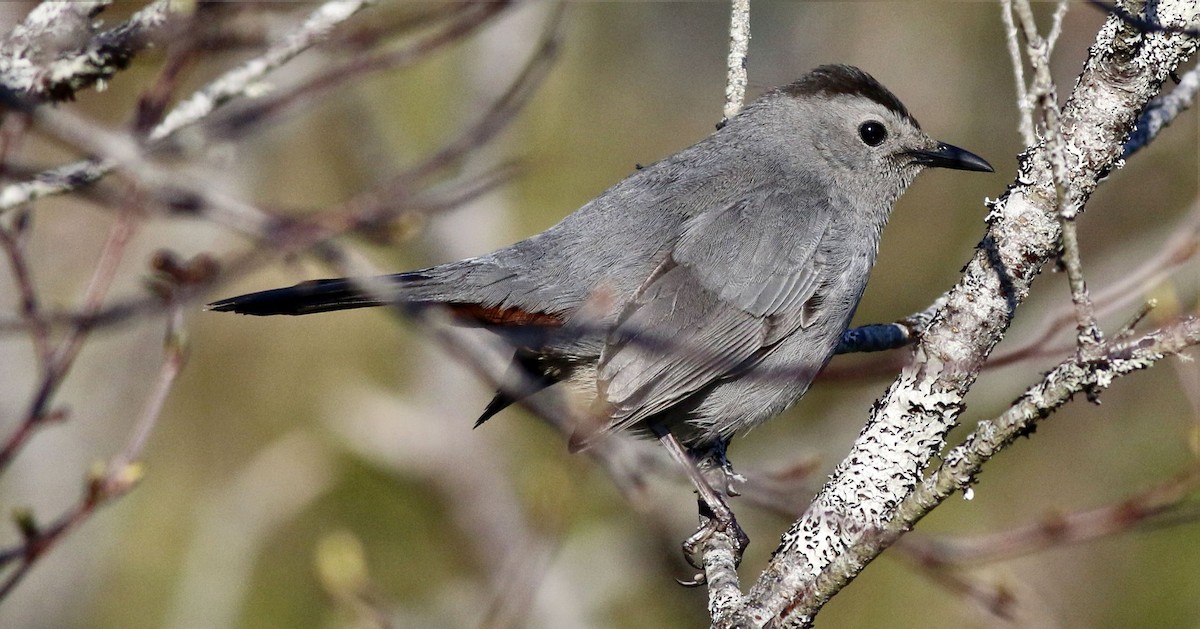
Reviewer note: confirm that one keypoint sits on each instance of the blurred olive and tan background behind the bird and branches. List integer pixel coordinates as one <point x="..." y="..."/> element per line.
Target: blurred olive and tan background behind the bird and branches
<point x="323" y="471"/>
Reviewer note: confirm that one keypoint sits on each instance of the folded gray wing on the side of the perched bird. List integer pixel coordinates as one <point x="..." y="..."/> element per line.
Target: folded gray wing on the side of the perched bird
<point x="741" y="279"/>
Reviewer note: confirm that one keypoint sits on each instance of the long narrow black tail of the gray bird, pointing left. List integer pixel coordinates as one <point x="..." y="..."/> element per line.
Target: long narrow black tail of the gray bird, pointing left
<point x="307" y="298"/>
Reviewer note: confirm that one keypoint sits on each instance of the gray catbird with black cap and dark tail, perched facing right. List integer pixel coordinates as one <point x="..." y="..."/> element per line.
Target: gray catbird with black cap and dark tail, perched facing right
<point x="701" y="295"/>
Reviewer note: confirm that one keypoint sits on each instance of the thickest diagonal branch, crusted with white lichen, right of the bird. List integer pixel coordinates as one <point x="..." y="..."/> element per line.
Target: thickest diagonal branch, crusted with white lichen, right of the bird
<point x="855" y="517"/>
